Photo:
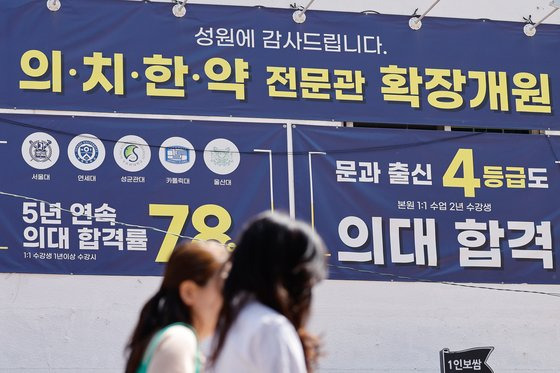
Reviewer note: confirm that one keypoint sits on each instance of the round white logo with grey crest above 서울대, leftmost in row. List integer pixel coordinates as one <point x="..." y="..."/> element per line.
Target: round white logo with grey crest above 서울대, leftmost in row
<point x="40" y="150"/>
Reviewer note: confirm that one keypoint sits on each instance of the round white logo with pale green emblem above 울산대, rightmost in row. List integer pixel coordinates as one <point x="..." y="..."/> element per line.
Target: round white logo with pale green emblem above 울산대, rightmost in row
<point x="221" y="156"/>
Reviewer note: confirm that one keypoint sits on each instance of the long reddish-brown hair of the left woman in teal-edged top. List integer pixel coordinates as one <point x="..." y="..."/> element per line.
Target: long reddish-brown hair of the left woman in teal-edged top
<point x="189" y="261"/>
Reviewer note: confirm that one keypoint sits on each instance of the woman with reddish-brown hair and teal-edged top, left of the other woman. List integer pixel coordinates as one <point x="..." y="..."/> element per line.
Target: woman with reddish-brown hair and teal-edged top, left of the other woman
<point x="184" y="309"/>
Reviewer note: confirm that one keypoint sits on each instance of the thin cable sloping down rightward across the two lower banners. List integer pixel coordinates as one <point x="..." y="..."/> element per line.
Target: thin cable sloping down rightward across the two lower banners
<point x="330" y="265"/>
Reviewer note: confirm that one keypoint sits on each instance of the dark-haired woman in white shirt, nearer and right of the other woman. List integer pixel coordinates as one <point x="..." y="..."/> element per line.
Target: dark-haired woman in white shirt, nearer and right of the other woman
<point x="267" y="299"/>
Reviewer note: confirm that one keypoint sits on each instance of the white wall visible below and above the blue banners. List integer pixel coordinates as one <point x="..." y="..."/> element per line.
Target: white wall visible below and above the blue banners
<point x="57" y="323"/>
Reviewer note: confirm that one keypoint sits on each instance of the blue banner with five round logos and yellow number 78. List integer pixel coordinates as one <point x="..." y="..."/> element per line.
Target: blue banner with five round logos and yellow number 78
<point x="112" y="196"/>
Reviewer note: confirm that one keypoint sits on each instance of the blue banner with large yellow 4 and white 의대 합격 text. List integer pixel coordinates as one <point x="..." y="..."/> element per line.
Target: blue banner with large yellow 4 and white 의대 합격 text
<point x="431" y="205"/>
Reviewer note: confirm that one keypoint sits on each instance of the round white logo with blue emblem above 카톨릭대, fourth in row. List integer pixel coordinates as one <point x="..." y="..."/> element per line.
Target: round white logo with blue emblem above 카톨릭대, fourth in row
<point x="177" y="155"/>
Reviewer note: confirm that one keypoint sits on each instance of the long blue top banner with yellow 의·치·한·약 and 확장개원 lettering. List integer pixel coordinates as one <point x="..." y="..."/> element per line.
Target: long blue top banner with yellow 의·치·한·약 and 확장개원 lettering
<point x="129" y="56"/>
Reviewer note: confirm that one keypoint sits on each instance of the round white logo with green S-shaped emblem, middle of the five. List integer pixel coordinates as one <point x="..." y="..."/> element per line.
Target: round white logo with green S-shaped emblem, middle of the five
<point x="132" y="153"/>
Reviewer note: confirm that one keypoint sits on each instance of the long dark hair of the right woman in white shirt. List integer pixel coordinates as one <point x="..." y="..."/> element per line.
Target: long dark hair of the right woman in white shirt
<point x="277" y="262"/>
